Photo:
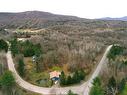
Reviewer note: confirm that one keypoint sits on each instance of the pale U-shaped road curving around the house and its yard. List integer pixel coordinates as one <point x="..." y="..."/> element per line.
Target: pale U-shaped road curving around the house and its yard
<point x="80" y="89"/>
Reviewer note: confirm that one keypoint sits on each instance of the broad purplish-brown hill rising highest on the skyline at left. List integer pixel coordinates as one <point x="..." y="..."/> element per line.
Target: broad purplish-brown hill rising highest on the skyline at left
<point x="31" y="19"/>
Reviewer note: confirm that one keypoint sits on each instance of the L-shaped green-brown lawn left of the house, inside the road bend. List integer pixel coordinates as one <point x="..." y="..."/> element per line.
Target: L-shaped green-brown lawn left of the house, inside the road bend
<point x="40" y="79"/>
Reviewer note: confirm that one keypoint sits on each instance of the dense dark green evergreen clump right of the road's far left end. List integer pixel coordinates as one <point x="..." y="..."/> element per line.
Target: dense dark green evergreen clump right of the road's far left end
<point x="26" y="48"/>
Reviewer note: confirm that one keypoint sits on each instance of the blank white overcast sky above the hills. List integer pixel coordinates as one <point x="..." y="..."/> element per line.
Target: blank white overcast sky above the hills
<point x="81" y="8"/>
